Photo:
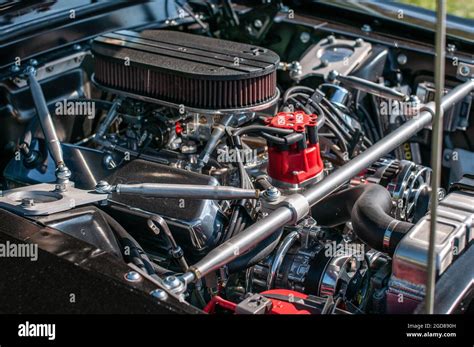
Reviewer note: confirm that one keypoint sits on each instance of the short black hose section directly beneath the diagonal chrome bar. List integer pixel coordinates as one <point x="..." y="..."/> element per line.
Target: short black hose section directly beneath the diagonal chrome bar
<point x="260" y="252"/>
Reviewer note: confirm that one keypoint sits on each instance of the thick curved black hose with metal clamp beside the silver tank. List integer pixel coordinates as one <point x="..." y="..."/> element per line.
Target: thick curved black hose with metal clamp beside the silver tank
<point x="367" y="206"/>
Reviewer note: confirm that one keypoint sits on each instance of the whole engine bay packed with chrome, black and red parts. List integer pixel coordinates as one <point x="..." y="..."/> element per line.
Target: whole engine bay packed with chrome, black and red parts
<point x="241" y="160"/>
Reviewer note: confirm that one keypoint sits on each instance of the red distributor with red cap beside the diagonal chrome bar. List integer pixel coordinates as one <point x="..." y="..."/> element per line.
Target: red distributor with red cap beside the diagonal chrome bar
<point x="299" y="162"/>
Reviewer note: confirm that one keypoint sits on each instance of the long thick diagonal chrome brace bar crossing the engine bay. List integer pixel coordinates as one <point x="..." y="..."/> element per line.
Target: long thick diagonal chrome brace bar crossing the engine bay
<point x="244" y="241"/>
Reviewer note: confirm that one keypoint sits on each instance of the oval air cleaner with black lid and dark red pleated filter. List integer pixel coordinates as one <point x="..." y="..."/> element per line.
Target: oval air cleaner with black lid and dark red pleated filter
<point x="185" y="69"/>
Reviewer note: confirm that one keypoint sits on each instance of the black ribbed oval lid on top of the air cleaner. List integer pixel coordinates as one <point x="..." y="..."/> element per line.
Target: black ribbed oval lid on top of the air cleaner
<point x="187" y="54"/>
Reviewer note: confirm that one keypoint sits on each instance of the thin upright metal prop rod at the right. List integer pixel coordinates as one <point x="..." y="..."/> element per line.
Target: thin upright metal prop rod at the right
<point x="436" y="150"/>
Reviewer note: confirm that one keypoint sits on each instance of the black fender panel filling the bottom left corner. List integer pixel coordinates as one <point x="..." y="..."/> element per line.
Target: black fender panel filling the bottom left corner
<point x="68" y="266"/>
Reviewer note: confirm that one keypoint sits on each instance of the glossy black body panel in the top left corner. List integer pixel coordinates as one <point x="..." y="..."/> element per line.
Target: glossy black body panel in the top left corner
<point x="58" y="28"/>
